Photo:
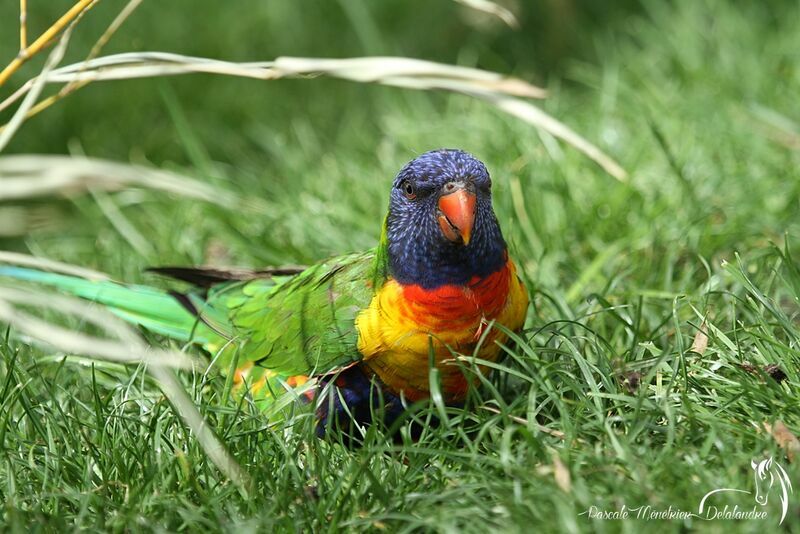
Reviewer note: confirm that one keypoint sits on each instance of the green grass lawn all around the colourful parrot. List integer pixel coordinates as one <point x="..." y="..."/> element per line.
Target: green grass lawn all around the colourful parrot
<point x="698" y="102"/>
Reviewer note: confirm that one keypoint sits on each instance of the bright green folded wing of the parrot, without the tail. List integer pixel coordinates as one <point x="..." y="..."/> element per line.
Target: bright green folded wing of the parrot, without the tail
<point x="298" y="325"/>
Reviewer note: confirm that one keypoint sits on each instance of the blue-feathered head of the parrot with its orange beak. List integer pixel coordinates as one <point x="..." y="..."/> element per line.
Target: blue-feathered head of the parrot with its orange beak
<point x="441" y="227"/>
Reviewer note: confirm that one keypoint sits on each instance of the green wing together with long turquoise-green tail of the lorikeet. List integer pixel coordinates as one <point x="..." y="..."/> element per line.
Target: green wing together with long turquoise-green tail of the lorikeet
<point x="291" y="325"/>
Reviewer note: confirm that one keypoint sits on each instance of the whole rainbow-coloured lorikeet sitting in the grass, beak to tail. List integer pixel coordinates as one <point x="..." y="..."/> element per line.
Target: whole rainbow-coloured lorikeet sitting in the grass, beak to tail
<point x="439" y="278"/>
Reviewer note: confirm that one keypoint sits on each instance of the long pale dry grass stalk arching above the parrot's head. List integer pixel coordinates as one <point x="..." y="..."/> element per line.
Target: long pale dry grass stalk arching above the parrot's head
<point x="498" y="90"/>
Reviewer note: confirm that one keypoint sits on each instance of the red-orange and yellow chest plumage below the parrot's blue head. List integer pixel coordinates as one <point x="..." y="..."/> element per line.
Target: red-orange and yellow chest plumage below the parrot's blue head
<point x="405" y="325"/>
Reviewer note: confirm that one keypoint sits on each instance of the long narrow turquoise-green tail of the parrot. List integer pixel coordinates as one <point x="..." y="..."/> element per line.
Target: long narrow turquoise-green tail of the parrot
<point x="154" y="309"/>
